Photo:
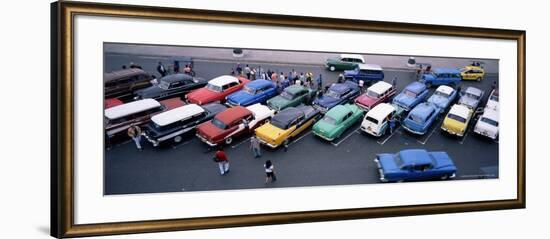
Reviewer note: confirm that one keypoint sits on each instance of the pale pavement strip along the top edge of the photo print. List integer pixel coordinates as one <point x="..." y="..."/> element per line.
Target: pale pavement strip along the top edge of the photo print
<point x="285" y="57"/>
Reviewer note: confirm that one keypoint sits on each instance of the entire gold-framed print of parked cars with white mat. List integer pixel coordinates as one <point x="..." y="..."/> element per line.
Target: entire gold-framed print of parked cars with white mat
<point x="170" y="119"/>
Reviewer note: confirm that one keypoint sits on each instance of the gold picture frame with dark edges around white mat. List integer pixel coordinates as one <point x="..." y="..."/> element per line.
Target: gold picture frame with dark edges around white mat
<point x="62" y="118"/>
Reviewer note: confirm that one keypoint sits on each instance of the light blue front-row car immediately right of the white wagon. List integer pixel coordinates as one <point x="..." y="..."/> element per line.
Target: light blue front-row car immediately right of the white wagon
<point x="420" y="118"/>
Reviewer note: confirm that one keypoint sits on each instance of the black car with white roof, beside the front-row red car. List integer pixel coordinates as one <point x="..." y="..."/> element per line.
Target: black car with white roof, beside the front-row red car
<point x="172" y="125"/>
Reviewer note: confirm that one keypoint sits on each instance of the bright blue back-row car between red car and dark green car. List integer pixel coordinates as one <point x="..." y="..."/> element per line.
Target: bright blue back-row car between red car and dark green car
<point x="258" y="91"/>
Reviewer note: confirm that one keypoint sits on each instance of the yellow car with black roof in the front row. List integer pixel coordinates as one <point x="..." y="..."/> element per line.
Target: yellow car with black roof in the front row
<point x="286" y="124"/>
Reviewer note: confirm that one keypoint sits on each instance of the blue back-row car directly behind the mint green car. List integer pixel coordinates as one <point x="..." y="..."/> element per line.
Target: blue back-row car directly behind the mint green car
<point x="338" y="93"/>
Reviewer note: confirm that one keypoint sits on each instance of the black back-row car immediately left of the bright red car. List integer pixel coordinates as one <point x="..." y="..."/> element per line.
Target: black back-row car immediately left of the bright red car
<point x="175" y="85"/>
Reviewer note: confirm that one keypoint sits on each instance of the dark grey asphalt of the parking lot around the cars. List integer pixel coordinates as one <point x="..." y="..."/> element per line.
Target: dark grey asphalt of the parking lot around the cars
<point x="309" y="161"/>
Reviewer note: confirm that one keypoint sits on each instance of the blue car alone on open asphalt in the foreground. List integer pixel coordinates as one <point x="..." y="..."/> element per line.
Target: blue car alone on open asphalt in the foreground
<point x="415" y="165"/>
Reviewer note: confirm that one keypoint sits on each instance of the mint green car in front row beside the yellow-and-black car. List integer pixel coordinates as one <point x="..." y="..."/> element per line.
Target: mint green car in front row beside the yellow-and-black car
<point x="337" y="120"/>
